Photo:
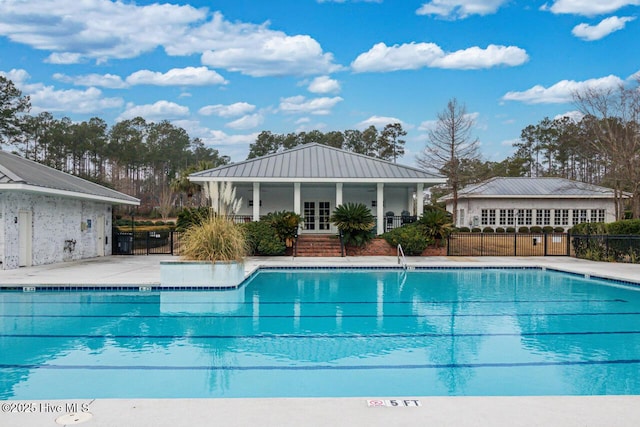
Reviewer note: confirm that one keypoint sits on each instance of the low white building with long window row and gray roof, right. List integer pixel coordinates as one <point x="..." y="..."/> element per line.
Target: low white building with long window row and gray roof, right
<point x="543" y="202"/>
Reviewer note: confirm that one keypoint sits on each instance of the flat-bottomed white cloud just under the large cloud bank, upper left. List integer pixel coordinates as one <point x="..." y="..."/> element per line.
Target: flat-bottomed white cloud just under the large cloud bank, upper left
<point x="189" y="76"/>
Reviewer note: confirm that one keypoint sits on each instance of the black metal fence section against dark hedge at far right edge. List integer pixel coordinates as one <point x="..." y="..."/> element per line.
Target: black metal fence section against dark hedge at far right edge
<point x="605" y="247"/>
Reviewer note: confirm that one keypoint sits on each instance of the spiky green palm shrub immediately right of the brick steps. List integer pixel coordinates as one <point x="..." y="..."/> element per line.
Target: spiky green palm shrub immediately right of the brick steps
<point x="355" y="222"/>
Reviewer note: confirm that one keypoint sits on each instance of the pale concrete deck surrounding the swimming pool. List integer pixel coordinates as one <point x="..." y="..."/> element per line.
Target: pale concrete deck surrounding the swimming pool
<point x="565" y="411"/>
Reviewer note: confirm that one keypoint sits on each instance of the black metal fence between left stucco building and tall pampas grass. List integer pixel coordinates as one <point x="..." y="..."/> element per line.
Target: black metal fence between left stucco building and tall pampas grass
<point x="146" y="243"/>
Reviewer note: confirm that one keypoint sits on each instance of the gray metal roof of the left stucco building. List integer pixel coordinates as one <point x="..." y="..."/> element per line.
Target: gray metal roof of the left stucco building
<point x="19" y="173"/>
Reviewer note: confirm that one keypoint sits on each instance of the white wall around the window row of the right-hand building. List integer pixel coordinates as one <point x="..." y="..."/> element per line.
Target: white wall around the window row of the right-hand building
<point x="473" y="208"/>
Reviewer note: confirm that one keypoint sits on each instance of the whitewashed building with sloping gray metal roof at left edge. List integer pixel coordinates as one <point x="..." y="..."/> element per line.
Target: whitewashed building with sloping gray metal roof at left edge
<point x="48" y="216"/>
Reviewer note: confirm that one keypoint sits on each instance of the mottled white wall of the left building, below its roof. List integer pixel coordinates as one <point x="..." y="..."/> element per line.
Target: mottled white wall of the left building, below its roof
<point x="54" y="220"/>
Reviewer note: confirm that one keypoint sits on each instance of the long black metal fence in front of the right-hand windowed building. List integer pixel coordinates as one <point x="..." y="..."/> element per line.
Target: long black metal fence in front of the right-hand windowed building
<point x="508" y="244"/>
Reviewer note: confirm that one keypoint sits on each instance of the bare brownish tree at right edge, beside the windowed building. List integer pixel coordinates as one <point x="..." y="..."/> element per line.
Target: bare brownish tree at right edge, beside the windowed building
<point x="613" y="116"/>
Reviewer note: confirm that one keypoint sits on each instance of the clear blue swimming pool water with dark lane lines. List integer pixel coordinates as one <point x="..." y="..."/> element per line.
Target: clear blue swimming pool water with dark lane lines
<point x="293" y="333"/>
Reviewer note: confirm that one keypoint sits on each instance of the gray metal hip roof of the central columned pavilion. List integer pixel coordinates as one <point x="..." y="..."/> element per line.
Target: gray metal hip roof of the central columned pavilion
<point x="316" y="162"/>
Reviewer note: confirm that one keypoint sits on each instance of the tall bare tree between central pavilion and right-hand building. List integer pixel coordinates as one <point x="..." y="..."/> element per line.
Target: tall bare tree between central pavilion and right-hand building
<point x="450" y="144"/>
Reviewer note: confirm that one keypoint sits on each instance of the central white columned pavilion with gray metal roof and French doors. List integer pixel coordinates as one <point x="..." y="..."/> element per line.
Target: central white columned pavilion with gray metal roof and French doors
<point x="313" y="179"/>
